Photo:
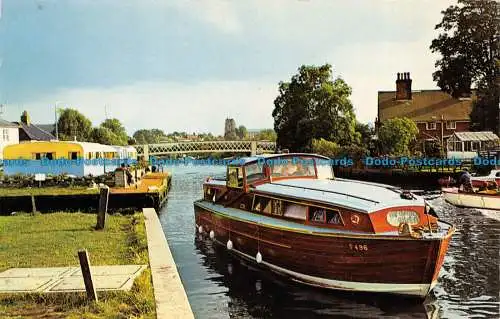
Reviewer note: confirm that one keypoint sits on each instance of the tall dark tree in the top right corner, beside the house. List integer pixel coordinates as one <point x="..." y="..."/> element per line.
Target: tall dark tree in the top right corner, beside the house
<point x="469" y="47"/>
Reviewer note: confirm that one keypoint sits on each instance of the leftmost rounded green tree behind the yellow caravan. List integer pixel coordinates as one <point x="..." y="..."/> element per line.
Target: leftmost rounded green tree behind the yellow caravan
<point x="73" y="124"/>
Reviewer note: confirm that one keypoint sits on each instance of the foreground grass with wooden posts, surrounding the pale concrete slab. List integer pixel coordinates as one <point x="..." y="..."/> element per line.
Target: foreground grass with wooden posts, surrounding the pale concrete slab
<point x="52" y="240"/>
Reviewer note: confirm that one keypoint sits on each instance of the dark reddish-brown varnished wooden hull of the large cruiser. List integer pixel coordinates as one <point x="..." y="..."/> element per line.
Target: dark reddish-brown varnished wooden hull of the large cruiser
<point x="383" y="264"/>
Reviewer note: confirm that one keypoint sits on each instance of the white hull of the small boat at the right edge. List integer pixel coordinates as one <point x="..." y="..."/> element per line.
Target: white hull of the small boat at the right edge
<point x="484" y="200"/>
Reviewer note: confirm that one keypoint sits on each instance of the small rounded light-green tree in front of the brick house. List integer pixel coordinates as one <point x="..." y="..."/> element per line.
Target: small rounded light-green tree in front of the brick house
<point x="396" y="135"/>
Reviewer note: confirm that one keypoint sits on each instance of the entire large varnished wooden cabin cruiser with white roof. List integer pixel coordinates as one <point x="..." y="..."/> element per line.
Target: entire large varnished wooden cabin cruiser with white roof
<point x="288" y="213"/>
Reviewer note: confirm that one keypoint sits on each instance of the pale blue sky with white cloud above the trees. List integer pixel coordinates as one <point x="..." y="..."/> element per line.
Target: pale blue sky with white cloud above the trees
<point x="187" y="65"/>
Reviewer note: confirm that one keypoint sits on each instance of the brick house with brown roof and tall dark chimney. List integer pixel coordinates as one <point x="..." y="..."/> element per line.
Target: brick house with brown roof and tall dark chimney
<point x="437" y="114"/>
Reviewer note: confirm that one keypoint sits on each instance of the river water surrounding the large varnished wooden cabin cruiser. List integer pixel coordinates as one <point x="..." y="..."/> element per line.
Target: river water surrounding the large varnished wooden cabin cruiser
<point x="219" y="285"/>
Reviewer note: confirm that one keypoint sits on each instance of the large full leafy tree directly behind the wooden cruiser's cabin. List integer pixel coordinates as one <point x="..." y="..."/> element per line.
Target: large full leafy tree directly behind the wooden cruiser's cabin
<point x="312" y="106"/>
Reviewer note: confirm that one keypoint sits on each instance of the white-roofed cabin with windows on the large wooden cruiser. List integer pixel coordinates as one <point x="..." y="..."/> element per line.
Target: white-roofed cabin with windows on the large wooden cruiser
<point x="301" y="188"/>
